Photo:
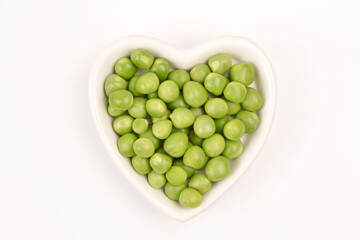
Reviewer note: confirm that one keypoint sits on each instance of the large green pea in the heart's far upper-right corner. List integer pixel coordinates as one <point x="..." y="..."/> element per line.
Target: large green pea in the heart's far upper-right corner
<point x="243" y="73"/>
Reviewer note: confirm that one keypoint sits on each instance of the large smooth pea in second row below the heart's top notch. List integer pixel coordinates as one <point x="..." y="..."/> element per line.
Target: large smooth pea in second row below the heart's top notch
<point x="195" y="94"/>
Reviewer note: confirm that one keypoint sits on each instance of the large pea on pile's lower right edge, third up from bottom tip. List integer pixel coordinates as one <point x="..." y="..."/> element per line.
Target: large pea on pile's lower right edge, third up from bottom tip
<point x="217" y="168"/>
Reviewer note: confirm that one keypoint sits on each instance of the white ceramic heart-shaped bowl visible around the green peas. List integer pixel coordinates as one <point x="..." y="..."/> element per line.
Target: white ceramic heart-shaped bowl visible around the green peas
<point x="240" y="49"/>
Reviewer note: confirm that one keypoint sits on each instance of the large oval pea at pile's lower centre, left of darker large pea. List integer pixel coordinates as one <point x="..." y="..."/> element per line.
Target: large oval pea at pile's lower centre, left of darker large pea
<point x="175" y="145"/>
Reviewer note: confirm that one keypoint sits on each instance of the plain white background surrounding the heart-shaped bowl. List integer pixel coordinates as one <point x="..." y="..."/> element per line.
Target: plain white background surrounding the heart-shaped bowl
<point x="58" y="182"/>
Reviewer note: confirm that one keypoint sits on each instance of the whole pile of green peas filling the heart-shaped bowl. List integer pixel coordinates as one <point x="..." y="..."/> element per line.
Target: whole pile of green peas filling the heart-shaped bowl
<point x="179" y="127"/>
